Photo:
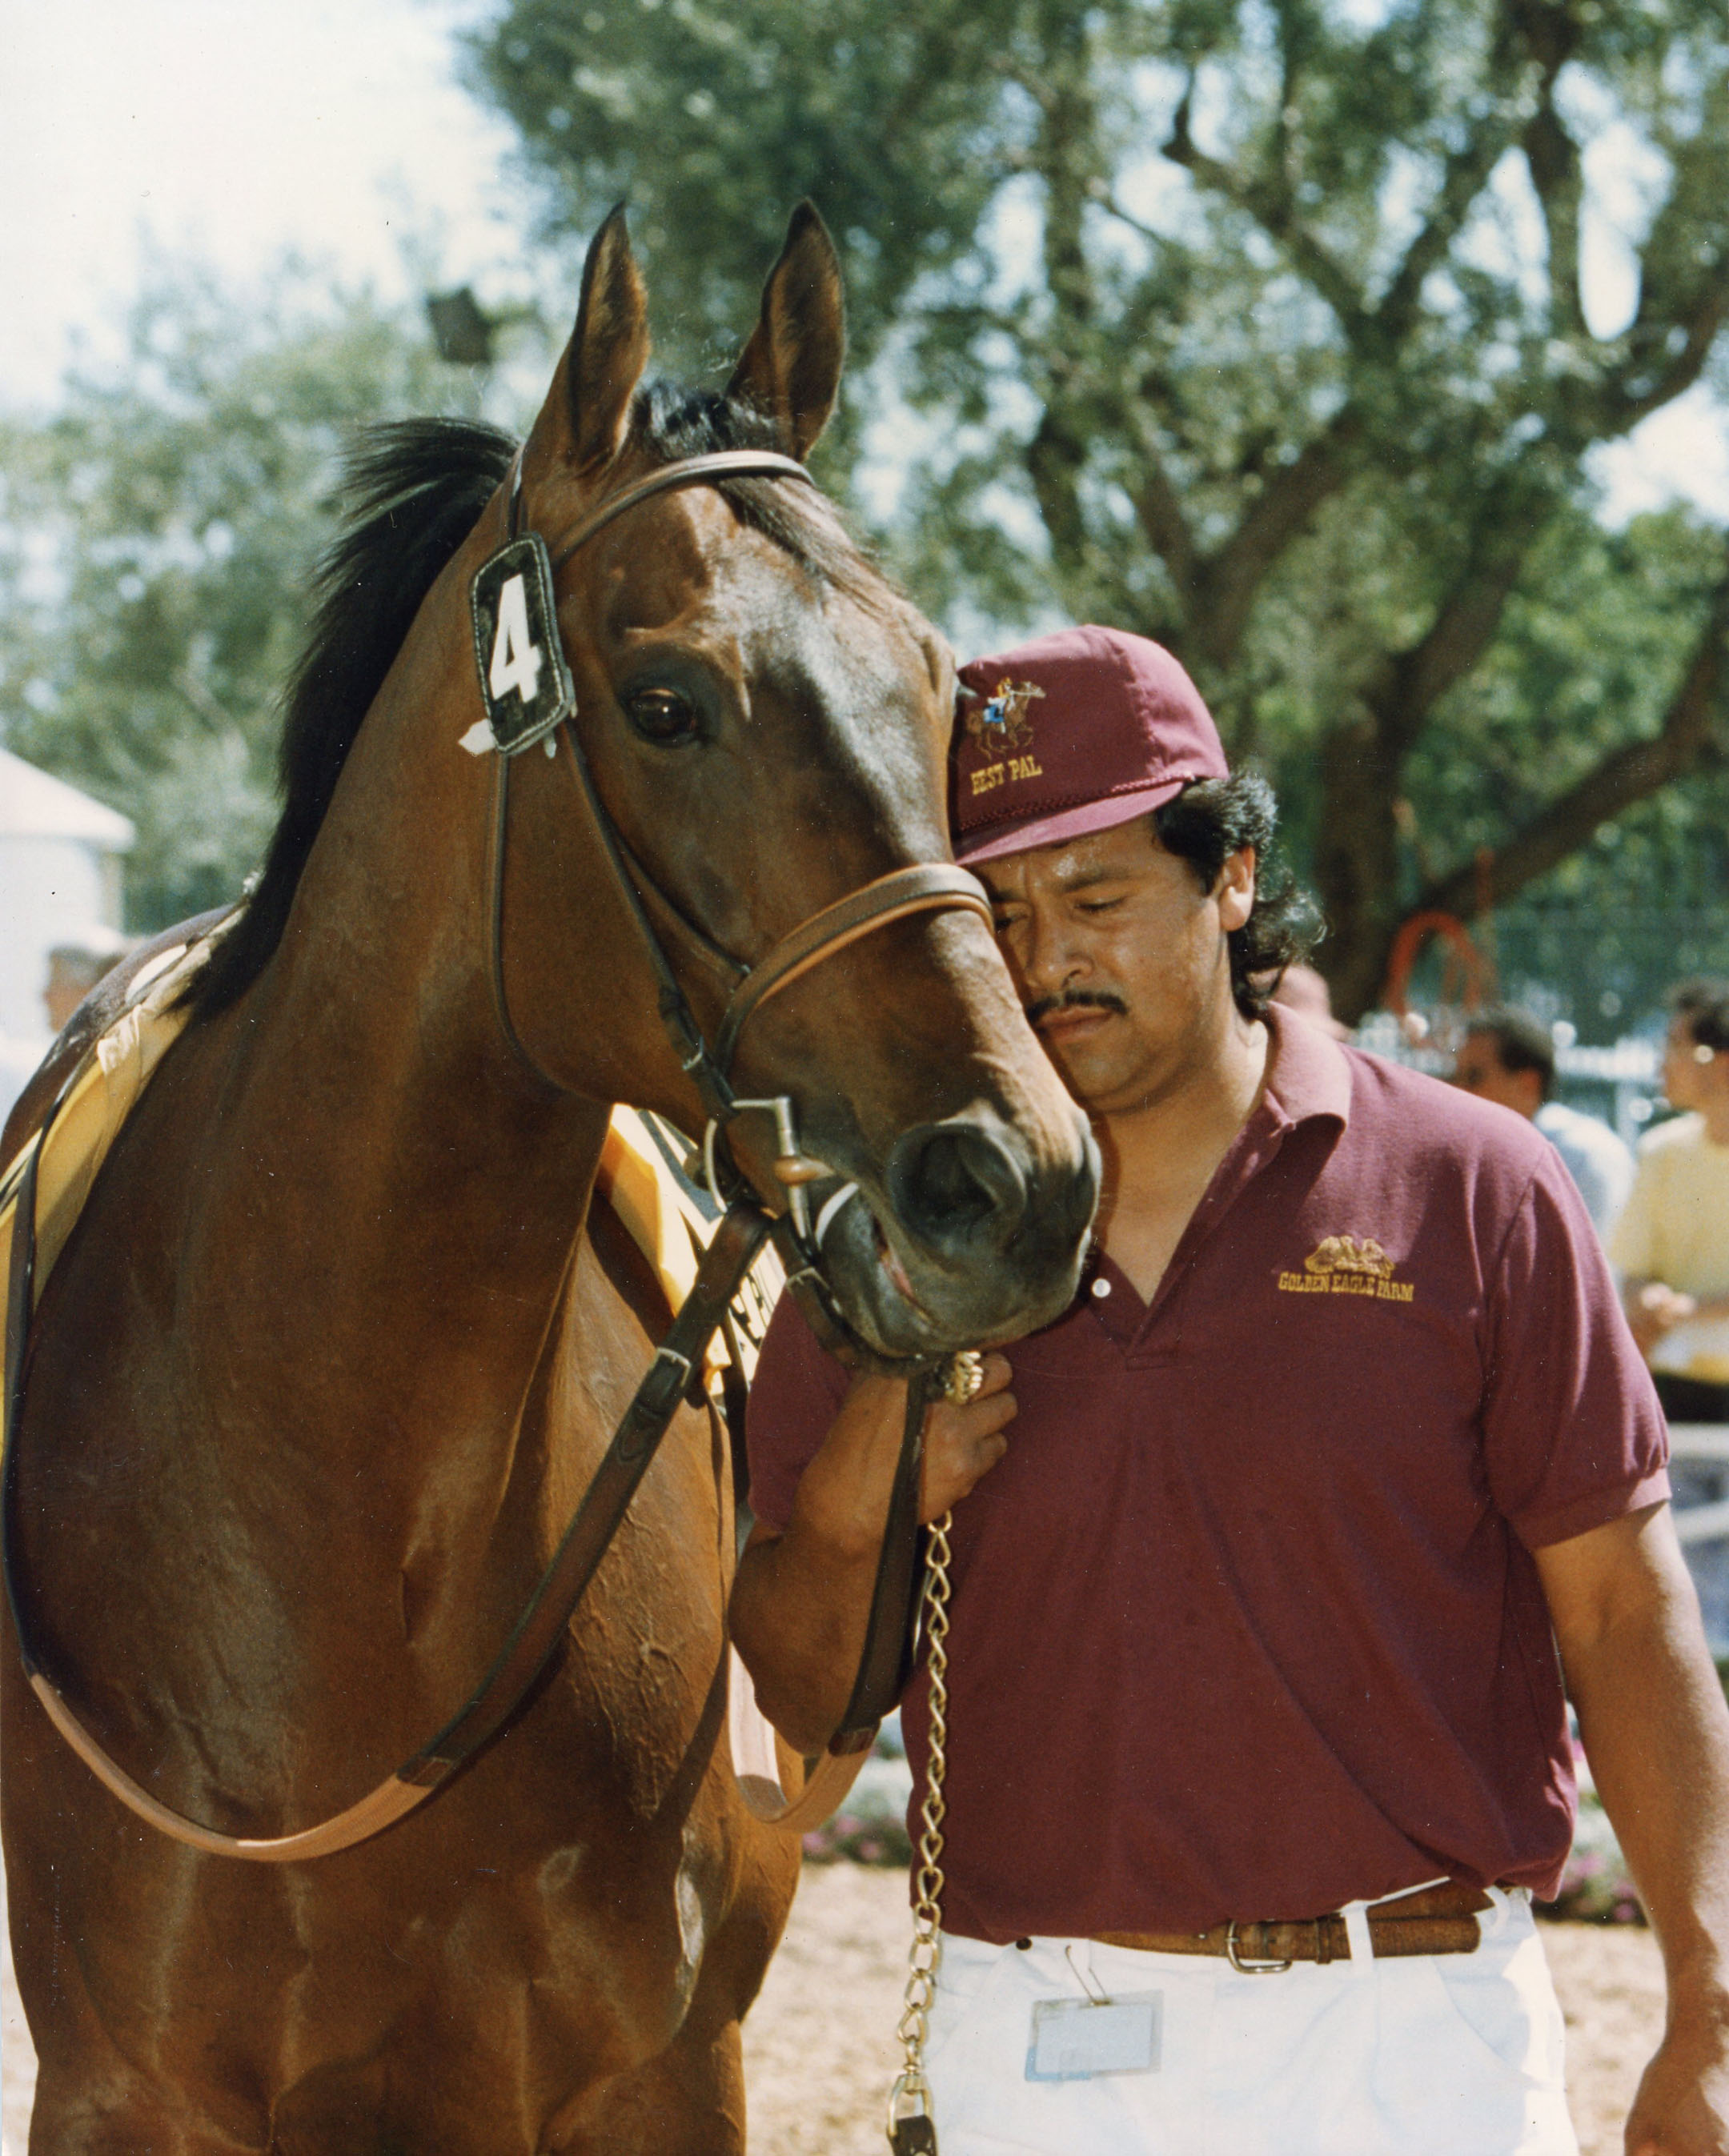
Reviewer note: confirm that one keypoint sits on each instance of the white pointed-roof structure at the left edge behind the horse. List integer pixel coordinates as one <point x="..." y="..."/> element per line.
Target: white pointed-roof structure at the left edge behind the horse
<point x="61" y="859"/>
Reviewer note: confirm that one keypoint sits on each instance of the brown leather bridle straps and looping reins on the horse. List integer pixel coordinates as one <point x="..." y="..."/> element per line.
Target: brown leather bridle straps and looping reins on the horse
<point x="676" y="1370"/>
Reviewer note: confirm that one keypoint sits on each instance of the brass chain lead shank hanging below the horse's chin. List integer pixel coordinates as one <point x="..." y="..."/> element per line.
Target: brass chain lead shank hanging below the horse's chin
<point x="911" y="2131"/>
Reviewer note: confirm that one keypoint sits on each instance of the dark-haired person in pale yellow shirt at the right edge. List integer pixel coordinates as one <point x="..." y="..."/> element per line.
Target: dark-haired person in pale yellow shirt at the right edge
<point x="1672" y="1243"/>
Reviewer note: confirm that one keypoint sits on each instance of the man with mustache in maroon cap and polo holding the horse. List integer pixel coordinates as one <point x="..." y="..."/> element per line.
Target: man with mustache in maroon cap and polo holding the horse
<point x="1258" y="1741"/>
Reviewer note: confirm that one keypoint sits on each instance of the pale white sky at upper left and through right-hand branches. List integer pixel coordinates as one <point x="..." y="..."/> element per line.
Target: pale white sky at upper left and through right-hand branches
<point x="238" y="128"/>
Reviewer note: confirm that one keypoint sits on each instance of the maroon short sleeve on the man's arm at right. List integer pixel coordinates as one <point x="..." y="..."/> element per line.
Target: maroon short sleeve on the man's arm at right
<point x="1573" y="1428"/>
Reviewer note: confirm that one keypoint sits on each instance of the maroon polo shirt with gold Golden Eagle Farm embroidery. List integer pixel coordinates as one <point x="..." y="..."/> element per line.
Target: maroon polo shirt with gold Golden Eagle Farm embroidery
<point x="1247" y="1620"/>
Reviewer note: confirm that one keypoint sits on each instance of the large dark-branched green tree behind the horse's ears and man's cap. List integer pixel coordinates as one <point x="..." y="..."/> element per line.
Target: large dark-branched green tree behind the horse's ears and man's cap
<point x="1249" y="324"/>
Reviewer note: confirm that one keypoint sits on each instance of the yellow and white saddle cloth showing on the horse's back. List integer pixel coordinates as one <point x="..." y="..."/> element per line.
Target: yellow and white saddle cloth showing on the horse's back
<point x="633" y="1176"/>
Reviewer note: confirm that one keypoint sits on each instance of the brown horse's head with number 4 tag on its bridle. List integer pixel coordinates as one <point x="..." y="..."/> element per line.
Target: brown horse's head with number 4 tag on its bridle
<point x="762" y="732"/>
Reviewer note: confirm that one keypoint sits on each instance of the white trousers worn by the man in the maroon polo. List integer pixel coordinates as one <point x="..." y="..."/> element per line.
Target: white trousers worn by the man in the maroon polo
<point x="1424" y="2056"/>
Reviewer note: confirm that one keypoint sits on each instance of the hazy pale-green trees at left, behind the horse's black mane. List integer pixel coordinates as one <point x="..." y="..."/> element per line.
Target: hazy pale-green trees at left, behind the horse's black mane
<point x="156" y="538"/>
